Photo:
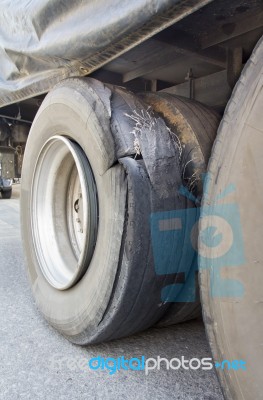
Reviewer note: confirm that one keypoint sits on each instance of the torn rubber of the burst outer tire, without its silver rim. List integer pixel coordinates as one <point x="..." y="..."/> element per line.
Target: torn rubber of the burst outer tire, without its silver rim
<point x="120" y="292"/>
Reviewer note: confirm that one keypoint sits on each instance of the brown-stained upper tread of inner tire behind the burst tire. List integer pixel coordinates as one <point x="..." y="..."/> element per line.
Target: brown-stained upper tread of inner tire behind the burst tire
<point x="195" y="125"/>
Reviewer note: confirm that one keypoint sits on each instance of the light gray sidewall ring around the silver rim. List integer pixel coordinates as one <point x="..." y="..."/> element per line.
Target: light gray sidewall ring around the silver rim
<point x="70" y="112"/>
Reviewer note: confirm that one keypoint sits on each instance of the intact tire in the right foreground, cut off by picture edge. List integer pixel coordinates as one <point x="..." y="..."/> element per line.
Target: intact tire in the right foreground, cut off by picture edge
<point x="231" y="268"/>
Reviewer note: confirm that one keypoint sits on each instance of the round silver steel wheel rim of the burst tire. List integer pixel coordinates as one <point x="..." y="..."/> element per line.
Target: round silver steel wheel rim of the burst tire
<point x="64" y="212"/>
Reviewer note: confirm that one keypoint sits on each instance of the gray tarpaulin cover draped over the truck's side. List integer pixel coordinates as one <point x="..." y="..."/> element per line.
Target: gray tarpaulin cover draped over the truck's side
<point x="44" y="41"/>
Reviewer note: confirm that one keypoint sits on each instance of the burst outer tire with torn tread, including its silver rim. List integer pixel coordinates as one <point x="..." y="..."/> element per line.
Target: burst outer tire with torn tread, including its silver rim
<point x="86" y="202"/>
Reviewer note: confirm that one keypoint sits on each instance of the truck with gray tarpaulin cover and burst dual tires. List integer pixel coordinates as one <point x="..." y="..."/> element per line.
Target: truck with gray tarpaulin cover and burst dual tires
<point x="116" y="156"/>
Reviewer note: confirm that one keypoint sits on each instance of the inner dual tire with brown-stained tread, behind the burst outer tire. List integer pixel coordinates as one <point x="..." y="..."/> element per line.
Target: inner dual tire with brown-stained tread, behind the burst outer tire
<point x="195" y="126"/>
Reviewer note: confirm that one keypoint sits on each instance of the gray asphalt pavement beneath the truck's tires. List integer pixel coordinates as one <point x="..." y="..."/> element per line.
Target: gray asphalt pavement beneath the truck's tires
<point x="37" y="363"/>
